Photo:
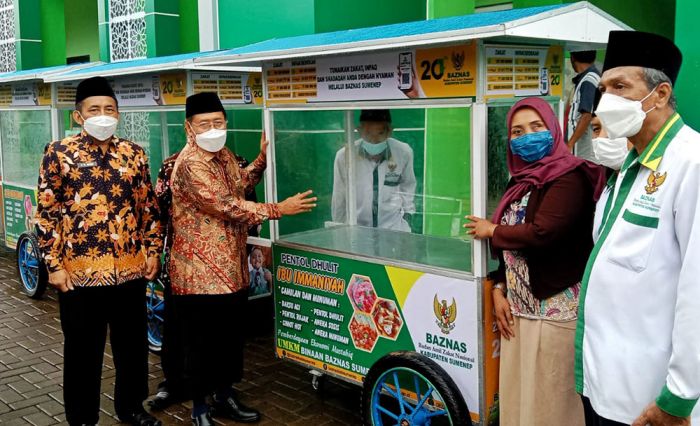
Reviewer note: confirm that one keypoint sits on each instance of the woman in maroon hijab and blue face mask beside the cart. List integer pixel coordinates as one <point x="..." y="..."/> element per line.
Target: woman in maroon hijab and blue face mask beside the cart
<point x="541" y="233"/>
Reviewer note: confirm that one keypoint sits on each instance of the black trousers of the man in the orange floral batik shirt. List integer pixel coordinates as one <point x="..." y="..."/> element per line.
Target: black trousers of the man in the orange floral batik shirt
<point x="86" y="314"/>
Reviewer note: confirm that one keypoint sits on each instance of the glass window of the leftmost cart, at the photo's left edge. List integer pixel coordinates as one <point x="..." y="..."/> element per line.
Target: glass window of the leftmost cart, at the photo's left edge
<point x="24" y="135"/>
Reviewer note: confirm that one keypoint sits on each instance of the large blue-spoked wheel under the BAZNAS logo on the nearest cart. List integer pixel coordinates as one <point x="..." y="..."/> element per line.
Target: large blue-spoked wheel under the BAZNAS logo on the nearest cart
<point x="406" y="388"/>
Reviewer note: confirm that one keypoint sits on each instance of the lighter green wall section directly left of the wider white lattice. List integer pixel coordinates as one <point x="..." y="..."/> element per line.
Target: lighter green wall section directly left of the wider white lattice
<point x="81" y="29"/>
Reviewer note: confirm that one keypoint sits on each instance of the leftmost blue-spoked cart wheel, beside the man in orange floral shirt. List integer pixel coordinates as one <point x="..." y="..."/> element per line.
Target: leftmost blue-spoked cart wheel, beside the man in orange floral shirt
<point x="31" y="268"/>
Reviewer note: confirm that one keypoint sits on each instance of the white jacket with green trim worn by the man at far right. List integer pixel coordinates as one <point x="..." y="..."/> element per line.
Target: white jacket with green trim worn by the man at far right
<point x="640" y="329"/>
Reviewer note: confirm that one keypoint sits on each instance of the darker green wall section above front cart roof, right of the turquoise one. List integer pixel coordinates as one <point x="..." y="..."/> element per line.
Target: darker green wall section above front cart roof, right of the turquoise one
<point x="334" y="15"/>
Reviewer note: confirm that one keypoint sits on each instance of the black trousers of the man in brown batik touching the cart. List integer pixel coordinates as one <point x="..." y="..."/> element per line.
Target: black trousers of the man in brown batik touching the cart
<point x="212" y="330"/>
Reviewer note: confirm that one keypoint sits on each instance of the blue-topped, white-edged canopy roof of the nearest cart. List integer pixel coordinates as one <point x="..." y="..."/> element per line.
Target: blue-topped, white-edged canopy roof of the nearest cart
<point x="580" y="26"/>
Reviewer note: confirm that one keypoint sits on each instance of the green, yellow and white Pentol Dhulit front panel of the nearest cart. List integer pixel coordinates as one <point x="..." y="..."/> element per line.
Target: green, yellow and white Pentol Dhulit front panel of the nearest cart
<point x="341" y="316"/>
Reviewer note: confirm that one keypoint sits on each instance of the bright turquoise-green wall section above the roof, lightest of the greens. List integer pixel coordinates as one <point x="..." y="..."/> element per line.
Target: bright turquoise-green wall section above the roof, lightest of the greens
<point x="242" y="23"/>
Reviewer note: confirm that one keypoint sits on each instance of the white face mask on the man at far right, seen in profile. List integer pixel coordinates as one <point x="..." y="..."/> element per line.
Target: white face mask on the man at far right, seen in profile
<point x="621" y="117"/>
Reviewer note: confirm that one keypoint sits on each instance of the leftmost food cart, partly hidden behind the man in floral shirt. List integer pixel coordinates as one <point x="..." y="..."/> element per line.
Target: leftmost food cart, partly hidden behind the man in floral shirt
<point x="27" y="123"/>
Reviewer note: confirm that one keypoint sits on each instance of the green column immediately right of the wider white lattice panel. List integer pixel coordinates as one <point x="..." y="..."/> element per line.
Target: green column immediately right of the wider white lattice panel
<point x="162" y="27"/>
